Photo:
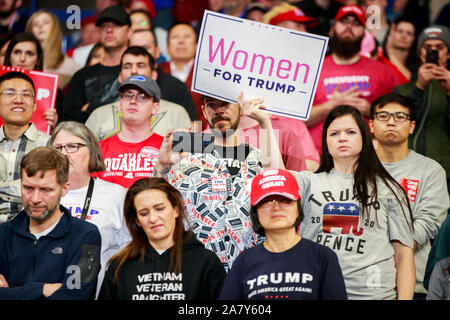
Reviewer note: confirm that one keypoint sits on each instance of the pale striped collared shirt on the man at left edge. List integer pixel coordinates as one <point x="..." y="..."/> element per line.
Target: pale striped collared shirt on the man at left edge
<point x="11" y="154"/>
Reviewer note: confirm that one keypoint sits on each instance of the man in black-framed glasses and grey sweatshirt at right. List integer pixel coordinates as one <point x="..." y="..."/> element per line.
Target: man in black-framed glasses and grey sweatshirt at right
<point x="392" y="121"/>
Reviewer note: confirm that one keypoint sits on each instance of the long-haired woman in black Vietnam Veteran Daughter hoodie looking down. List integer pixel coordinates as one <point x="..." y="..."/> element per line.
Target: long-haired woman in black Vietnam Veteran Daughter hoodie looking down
<point x="163" y="261"/>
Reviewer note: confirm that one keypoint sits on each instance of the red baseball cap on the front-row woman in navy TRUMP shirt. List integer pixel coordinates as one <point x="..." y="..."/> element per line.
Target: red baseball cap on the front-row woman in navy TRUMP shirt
<point x="274" y="182"/>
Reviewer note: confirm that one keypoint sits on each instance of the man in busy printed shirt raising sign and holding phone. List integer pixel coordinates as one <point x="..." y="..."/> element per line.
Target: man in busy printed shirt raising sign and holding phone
<point x="216" y="183"/>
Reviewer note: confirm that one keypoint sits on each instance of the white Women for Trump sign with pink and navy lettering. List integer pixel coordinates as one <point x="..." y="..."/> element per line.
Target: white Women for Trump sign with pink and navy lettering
<point x="280" y="65"/>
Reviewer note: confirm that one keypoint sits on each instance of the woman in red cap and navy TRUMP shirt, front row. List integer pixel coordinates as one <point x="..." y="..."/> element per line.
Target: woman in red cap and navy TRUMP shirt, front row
<point x="285" y="266"/>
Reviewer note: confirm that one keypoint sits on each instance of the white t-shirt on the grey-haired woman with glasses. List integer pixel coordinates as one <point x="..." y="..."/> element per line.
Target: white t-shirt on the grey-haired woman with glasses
<point x="106" y="212"/>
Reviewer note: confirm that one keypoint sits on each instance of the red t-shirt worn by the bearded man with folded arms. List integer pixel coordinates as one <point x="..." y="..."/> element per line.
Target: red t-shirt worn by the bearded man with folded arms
<point x="372" y="77"/>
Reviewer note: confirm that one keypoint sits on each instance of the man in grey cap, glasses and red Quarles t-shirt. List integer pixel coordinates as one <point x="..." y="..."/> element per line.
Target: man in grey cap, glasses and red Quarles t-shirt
<point x="131" y="154"/>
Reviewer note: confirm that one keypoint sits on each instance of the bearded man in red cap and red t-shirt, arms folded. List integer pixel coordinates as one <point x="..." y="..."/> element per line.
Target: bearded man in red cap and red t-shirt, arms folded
<point x="348" y="77"/>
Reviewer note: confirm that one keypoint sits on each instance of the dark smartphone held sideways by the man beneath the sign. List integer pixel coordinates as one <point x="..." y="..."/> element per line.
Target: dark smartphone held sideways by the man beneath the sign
<point x="193" y="142"/>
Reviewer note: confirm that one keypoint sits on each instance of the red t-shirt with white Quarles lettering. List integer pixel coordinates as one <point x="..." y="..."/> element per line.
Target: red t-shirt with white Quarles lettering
<point x="128" y="162"/>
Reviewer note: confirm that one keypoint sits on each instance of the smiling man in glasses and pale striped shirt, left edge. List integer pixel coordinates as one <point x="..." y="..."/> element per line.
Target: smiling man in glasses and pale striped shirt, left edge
<point x="17" y="137"/>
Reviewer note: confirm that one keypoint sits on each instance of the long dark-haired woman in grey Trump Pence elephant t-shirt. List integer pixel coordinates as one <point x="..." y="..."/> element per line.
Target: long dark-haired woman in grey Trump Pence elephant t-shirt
<point x="354" y="206"/>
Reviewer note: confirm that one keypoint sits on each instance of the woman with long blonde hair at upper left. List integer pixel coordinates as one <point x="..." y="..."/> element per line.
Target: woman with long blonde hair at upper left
<point x="46" y="28"/>
